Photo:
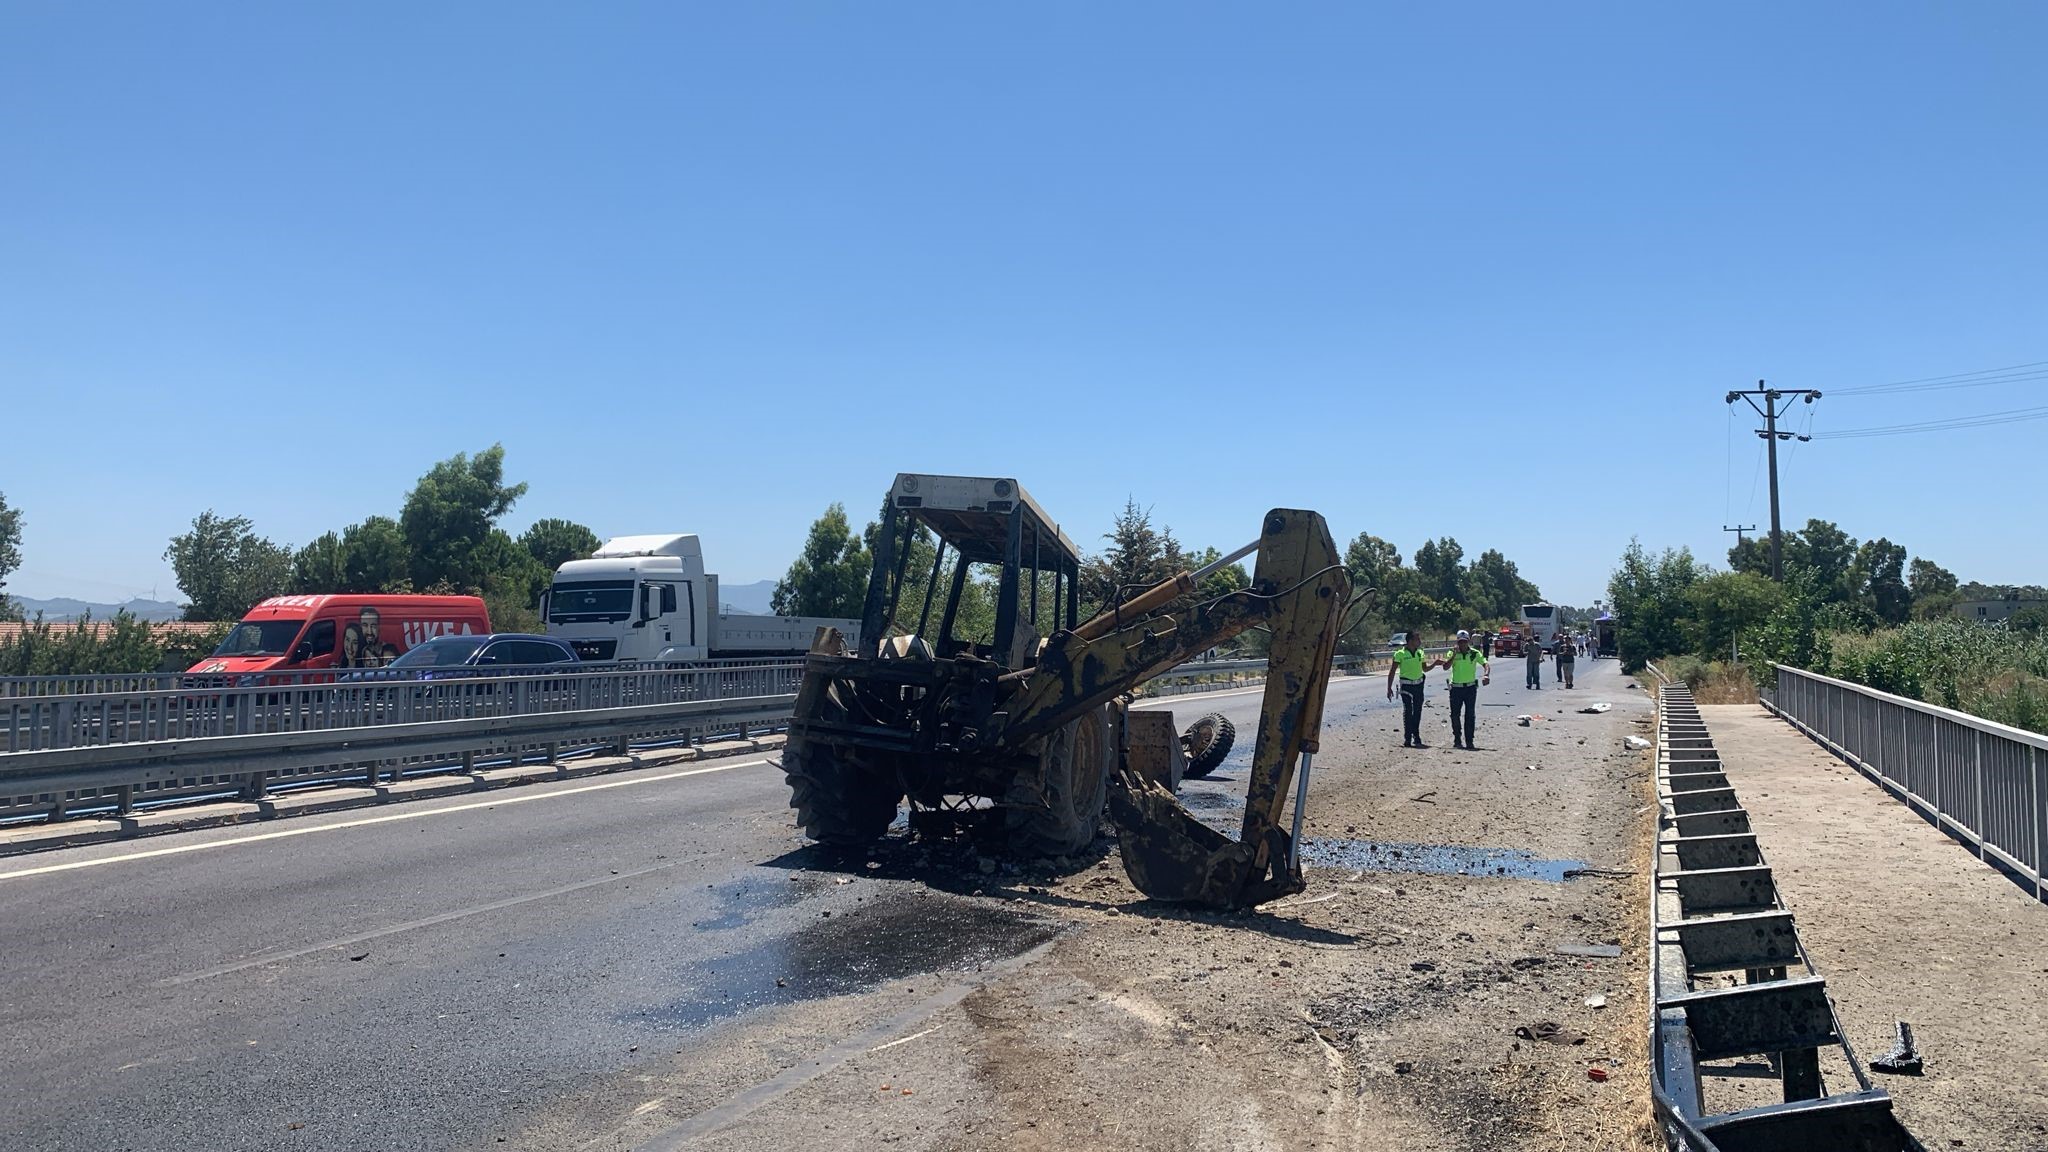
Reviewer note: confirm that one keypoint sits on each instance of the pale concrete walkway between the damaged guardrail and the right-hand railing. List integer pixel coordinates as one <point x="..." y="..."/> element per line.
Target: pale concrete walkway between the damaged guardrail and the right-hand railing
<point x="1906" y="925"/>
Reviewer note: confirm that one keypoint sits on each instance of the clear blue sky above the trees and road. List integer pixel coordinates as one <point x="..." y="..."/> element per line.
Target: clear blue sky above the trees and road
<point x="710" y="268"/>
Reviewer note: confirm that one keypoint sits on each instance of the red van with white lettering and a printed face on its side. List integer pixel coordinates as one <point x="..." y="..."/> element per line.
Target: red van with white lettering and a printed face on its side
<point x="341" y="632"/>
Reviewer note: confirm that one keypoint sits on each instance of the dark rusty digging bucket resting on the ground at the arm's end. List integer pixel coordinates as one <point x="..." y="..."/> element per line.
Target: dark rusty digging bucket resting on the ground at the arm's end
<point x="1172" y="856"/>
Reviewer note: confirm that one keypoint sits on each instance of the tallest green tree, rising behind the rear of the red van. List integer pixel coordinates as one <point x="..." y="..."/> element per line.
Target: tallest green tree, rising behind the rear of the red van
<point x="450" y="518"/>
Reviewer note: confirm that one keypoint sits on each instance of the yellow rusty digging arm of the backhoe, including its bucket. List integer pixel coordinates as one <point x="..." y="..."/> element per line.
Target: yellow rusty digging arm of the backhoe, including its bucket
<point x="1297" y="593"/>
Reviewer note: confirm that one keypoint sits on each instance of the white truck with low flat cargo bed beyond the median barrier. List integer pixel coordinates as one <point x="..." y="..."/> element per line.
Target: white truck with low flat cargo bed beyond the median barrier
<point x="648" y="600"/>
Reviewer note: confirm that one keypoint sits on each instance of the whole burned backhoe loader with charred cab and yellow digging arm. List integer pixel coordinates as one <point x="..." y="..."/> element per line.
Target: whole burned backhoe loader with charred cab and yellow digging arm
<point x="1023" y="729"/>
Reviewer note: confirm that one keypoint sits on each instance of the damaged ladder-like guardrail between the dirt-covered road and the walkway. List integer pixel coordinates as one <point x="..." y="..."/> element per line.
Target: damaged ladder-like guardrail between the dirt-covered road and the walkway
<point x="1746" y="1048"/>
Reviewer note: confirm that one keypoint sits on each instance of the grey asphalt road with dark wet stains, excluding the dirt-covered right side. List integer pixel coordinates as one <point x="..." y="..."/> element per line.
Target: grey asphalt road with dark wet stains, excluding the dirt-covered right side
<point x="478" y="973"/>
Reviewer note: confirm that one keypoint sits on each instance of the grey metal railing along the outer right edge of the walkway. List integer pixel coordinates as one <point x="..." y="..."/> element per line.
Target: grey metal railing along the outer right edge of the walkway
<point x="1979" y="782"/>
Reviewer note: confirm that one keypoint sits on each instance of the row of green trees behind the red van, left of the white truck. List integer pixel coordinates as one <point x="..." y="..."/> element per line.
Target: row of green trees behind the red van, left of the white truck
<point x="445" y="542"/>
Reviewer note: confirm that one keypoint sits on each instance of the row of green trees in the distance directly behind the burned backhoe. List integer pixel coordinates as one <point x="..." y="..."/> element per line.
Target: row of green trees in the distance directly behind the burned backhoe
<point x="1441" y="591"/>
